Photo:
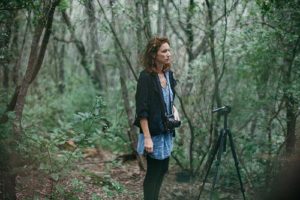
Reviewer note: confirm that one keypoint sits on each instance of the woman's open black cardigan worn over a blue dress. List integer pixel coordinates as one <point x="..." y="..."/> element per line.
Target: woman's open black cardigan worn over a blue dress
<point x="149" y="101"/>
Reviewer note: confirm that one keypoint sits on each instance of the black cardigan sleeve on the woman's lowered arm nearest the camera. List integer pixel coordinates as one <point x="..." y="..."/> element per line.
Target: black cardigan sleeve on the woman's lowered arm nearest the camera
<point x="142" y="97"/>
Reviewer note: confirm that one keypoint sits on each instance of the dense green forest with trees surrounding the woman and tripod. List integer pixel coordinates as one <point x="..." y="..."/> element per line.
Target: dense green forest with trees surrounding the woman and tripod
<point x="68" y="78"/>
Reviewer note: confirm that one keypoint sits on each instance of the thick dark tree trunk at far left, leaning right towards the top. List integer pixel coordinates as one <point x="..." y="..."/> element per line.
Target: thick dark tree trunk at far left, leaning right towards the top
<point x="9" y="157"/>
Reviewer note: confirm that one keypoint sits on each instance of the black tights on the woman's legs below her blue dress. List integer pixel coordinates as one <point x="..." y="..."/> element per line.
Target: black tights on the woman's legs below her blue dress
<point x="156" y="169"/>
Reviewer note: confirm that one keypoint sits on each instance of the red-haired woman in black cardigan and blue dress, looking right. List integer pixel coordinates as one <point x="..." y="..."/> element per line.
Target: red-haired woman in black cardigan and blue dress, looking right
<point x="154" y="101"/>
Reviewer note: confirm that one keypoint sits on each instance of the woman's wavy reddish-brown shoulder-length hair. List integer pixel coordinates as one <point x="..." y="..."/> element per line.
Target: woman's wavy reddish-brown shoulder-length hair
<point x="148" y="58"/>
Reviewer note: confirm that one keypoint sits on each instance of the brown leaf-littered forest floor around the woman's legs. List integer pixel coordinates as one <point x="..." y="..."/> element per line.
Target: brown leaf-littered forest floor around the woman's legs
<point x="104" y="177"/>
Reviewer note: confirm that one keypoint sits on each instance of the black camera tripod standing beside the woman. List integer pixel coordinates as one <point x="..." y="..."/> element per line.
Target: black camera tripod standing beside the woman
<point x="220" y="148"/>
